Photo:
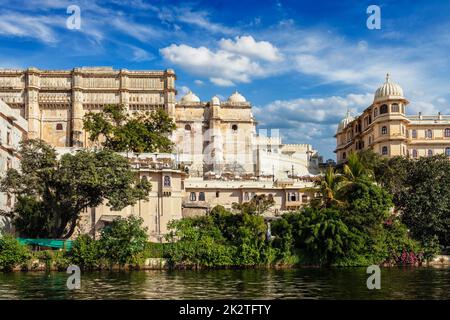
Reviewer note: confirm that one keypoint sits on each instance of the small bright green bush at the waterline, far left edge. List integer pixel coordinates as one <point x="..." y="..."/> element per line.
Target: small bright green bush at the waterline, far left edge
<point x="12" y="253"/>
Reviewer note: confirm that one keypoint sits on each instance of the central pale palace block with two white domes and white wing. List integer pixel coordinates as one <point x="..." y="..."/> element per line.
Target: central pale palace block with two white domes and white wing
<point x="219" y="138"/>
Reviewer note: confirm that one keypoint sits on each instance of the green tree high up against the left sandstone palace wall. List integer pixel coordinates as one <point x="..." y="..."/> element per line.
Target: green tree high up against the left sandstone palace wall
<point x="121" y="132"/>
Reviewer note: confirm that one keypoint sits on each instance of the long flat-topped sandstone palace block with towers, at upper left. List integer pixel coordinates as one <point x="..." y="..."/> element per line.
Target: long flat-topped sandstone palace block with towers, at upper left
<point x="55" y="101"/>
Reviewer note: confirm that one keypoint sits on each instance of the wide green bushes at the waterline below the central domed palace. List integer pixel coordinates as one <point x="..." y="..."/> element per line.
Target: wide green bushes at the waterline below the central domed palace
<point x="219" y="239"/>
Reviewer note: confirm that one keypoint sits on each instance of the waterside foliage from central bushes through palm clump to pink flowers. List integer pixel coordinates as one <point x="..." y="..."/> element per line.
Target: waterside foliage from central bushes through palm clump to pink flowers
<point x="349" y="223"/>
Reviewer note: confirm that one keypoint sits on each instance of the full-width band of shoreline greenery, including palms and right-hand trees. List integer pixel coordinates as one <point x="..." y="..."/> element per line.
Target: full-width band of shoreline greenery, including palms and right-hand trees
<point x="372" y="211"/>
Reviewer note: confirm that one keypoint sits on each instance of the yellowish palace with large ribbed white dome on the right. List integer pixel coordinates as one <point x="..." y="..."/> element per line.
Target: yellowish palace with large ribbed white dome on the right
<point x="385" y="128"/>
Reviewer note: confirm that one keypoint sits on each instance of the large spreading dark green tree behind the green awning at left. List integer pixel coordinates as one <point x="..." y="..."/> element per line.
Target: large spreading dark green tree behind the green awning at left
<point x="52" y="192"/>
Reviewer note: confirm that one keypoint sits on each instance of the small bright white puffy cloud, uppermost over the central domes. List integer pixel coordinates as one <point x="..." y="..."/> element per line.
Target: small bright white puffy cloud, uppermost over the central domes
<point x="246" y="45"/>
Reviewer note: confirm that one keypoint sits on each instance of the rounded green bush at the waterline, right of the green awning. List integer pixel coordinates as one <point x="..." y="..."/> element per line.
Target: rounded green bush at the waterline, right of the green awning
<point x="123" y="241"/>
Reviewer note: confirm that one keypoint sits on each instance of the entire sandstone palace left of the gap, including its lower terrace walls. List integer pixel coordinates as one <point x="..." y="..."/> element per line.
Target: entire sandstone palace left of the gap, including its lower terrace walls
<point x="219" y="158"/>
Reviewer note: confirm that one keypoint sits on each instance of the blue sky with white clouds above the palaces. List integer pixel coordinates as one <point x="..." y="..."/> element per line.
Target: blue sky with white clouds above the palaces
<point x="301" y="63"/>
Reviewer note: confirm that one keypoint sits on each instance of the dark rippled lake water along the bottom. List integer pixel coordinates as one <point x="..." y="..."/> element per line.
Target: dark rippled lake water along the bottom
<point x="345" y="283"/>
